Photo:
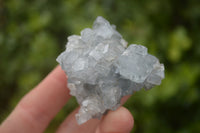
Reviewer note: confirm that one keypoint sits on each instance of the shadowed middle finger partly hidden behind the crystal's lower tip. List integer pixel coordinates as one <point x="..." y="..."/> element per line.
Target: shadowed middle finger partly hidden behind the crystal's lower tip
<point x="70" y="123"/>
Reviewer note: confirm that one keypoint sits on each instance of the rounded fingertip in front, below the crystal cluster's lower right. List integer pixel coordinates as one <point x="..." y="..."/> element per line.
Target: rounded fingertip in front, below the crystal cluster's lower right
<point x="119" y="121"/>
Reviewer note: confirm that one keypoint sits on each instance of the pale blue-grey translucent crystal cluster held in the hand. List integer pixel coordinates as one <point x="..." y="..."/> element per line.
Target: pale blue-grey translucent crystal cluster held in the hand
<point x="101" y="69"/>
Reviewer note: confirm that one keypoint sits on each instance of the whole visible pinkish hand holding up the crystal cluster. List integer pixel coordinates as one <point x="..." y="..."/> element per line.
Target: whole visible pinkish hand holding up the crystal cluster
<point x="37" y="108"/>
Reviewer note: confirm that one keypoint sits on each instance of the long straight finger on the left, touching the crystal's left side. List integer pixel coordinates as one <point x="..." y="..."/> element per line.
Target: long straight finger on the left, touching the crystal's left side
<point x="37" y="108"/>
